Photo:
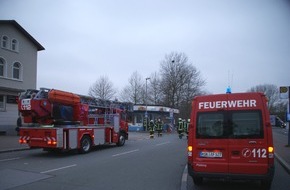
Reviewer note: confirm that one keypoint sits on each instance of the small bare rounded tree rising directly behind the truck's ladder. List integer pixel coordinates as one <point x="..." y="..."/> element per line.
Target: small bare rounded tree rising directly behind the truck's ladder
<point x="102" y="89"/>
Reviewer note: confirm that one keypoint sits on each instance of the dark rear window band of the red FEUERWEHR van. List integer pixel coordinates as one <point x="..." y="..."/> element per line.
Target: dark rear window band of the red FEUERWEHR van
<point x="237" y="124"/>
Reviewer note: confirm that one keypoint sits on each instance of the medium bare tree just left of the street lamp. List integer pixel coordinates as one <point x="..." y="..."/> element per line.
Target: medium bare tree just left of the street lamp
<point x="134" y="92"/>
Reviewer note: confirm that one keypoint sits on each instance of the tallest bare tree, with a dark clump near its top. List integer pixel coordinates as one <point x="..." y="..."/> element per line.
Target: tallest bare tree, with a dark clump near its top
<point x="180" y="80"/>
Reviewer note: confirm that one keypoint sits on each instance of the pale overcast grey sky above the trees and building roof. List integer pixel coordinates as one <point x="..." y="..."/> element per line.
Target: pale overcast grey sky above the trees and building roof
<point x="243" y="43"/>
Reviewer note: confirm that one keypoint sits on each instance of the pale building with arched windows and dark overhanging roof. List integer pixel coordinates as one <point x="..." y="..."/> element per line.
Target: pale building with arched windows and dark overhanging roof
<point x="18" y="70"/>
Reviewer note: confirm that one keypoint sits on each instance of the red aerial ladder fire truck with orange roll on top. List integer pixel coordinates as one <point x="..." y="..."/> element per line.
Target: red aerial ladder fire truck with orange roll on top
<point x="58" y="120"/>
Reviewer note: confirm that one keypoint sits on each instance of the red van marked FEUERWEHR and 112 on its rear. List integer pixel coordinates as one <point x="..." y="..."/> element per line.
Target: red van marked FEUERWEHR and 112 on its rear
<point x="230" y="136"/>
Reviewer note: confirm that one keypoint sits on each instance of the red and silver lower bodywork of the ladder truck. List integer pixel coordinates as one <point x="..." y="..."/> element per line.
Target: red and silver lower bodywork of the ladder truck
<point x="64" y="137"/>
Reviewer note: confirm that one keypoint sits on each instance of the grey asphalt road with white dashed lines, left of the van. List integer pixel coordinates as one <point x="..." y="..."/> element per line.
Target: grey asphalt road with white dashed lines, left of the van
<point x="141" y="163"/>
